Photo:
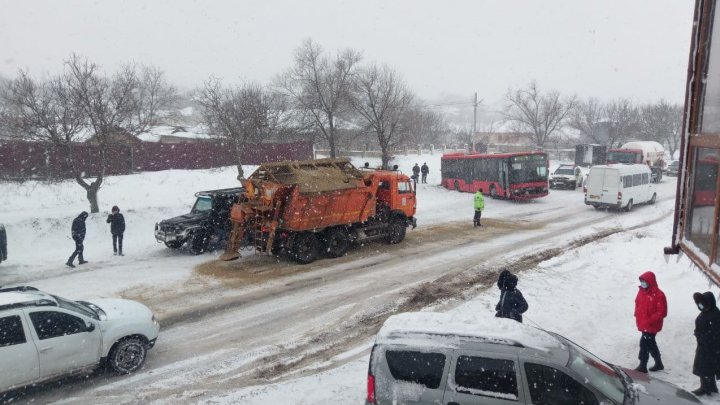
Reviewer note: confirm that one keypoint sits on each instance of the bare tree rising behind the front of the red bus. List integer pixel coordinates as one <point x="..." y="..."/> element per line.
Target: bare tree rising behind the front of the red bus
<point x="540" y="114"/>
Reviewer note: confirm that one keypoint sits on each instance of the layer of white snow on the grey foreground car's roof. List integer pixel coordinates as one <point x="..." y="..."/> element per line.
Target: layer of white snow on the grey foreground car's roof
<point x="482" y="327"/>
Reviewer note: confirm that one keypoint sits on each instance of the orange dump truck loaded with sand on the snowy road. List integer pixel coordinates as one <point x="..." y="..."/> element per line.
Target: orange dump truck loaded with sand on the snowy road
<point x="312" y="208"/>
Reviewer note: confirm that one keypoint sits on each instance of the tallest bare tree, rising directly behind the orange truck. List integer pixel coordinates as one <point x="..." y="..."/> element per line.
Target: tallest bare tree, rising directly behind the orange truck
<point x="319" y="88"/>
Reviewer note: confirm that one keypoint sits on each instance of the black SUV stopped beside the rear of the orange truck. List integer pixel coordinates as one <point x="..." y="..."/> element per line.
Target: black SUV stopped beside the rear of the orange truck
<point x="206" y="227"/>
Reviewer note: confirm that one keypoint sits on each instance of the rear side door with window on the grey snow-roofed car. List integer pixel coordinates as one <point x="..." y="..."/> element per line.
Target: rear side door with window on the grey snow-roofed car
<point x="486" y="378"/>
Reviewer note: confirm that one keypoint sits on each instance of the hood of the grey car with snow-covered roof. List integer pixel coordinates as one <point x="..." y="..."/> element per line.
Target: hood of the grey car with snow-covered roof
<point x="658" y="392"/>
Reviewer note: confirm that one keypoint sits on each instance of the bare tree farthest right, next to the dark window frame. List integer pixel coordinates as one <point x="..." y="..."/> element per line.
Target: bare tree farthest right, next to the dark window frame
<point x="661" y="122"/>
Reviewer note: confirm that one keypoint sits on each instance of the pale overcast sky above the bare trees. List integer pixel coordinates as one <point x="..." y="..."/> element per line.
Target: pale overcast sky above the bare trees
<point x="450" y="49"/>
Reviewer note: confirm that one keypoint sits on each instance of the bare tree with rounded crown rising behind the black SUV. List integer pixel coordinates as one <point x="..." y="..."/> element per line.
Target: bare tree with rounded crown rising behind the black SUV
<point x="244" y="114"/>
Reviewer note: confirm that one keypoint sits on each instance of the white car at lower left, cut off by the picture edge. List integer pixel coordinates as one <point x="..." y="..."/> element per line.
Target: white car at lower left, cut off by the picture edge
<point x="43" y="336"/>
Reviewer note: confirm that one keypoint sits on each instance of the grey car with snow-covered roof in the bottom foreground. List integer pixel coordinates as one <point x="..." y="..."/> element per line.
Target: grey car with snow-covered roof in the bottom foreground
<point x="433" y="358"/>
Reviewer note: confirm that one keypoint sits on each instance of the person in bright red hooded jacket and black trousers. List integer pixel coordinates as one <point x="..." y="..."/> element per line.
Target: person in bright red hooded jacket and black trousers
<point x="650" y="310"/>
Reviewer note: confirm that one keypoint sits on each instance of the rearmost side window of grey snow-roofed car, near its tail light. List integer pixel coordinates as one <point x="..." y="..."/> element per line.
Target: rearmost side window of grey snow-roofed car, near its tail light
<point x="416" y="367"/>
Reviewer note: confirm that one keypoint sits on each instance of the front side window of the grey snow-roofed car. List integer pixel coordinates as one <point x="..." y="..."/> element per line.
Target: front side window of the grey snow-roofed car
<point x="549" y="386"/>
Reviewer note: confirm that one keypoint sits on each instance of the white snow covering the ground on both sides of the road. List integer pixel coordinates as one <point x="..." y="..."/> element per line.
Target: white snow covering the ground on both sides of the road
<point x="585" y="294"/>
